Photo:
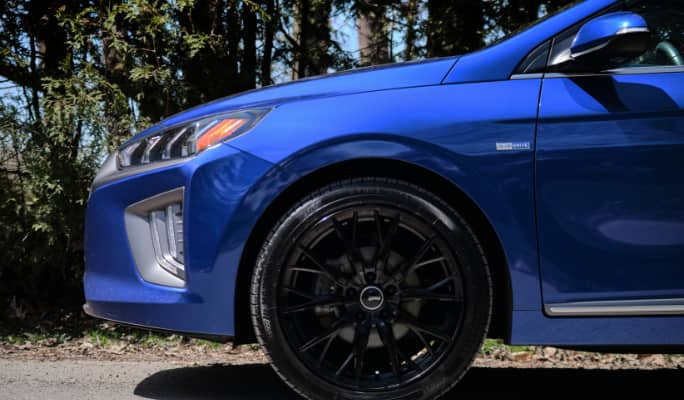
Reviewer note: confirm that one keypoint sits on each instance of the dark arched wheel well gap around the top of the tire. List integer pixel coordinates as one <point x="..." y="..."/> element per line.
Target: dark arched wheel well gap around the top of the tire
<point x="501" y="316"/>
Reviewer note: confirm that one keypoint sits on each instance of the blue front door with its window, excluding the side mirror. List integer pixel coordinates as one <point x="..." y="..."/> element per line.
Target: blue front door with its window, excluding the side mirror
<point x="610" y="178"/>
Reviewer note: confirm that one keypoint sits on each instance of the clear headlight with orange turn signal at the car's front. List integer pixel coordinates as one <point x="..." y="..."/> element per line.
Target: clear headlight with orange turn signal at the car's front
<point x="188" y="139"/>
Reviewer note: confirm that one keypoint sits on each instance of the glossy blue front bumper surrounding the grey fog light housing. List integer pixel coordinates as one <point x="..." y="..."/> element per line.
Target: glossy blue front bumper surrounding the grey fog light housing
<point x="215" y="194"/>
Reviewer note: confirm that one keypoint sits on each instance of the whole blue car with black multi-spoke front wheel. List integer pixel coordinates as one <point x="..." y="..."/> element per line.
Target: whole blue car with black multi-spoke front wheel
<point x="371" y="228"/>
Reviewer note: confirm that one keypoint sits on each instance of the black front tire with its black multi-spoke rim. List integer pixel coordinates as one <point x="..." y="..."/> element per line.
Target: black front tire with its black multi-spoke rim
<point x="371" y="288"/>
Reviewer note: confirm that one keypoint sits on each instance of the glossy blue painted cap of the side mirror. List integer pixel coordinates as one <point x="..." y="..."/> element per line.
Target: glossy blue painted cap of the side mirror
<point x="599" y="31"/>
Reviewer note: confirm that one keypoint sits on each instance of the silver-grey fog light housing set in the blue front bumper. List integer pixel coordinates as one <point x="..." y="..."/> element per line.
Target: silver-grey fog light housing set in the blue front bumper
<point x="155" y="234"/>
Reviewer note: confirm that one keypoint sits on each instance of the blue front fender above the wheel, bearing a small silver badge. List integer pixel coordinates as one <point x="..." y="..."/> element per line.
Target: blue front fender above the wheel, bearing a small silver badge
<point x="452" y="130"/>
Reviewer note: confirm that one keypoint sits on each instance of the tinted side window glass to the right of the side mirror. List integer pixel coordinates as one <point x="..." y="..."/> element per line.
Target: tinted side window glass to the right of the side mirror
<point x="666" y="20"/>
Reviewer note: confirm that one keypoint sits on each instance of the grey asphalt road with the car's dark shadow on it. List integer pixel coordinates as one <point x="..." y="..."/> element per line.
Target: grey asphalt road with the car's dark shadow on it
<point x="71" y="380"/>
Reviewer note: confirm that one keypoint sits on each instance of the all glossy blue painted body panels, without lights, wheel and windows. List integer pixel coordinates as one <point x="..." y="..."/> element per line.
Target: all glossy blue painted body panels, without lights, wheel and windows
<point x="578" y="177"/>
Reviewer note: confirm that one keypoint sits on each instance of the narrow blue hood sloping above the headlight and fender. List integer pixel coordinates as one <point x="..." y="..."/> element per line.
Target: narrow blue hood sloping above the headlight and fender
<point x="392" y="76"/>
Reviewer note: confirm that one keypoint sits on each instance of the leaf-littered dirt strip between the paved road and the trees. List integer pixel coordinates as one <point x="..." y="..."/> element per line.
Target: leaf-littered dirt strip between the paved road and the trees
<point x="492" y="355"/>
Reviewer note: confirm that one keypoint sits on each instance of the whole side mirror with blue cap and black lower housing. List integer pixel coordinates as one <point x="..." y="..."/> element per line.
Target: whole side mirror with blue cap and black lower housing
<point x="606" y="42"/>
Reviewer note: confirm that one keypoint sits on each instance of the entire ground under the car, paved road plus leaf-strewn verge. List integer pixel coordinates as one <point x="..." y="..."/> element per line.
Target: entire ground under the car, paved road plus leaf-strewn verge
<point x="108" y="363"/>
